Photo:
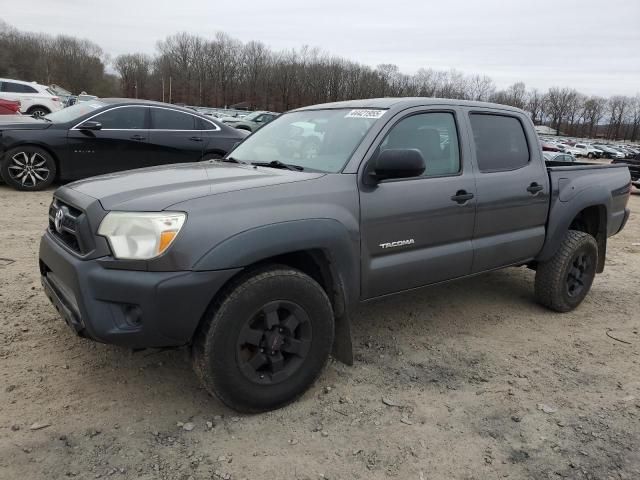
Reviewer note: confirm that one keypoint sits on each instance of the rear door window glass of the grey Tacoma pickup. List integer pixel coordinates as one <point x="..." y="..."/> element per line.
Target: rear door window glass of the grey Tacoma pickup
<point x="500" y="142"/>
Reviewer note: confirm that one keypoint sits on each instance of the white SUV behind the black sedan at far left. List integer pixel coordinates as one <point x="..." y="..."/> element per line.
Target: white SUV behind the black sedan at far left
<point x="35" y="99"/>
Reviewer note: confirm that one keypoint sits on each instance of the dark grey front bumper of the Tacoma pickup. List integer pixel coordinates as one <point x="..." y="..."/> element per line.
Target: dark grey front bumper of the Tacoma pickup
<point x="131" y="308"/>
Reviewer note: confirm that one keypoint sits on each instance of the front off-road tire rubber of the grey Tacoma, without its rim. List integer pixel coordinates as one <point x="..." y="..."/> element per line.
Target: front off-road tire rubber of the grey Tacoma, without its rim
<point x="215" y="349"/>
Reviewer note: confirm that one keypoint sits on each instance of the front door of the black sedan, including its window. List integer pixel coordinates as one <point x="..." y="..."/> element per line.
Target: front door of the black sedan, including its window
<point x="121" y="144"/>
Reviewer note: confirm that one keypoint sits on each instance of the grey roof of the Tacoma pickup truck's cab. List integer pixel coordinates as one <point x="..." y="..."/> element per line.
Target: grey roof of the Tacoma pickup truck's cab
<point x="406" y="102"/>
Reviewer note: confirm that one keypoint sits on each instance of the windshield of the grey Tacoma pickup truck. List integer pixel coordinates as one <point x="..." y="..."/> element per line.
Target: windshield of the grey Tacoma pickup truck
<point x="318" y="140"/>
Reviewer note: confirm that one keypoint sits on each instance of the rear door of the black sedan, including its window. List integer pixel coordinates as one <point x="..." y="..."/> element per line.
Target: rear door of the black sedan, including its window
<point x="175" y="136"/>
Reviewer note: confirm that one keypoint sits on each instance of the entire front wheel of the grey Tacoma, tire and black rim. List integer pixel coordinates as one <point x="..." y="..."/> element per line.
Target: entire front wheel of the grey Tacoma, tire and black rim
<point x="265" y="341"/>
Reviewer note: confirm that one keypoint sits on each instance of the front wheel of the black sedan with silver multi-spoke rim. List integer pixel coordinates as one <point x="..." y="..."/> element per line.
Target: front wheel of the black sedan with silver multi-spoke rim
<point x="28" y="168"/>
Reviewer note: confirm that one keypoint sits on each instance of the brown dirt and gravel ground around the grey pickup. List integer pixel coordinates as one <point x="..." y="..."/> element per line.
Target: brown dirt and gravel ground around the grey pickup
<point x="465" y="369"/>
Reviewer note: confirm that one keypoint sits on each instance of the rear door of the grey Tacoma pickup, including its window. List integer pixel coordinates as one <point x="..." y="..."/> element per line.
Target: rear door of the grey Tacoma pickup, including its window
<point x="512" y="190"/>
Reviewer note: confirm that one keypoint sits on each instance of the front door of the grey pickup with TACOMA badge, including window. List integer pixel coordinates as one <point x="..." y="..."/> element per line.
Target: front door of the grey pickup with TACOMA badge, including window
<point x="418" y="231"/>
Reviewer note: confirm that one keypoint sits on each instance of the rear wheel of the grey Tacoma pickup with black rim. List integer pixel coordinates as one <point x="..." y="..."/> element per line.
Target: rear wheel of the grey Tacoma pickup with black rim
<point x="564" y="280"/>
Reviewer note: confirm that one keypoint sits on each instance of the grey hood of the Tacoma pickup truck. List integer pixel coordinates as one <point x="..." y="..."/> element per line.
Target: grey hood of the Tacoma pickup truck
<point x="157" y="188"/>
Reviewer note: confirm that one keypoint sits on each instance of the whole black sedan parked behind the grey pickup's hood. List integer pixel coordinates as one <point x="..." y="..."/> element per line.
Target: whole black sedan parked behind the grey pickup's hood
<point x="107" y="135"/>
